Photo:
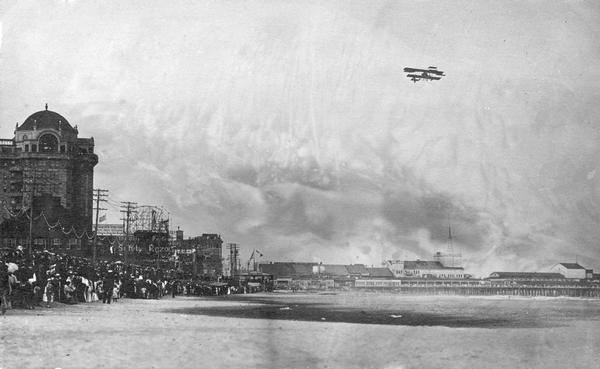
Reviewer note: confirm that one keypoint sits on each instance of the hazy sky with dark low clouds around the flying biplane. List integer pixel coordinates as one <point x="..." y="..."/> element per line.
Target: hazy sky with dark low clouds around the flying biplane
<point x="290" y="127"/>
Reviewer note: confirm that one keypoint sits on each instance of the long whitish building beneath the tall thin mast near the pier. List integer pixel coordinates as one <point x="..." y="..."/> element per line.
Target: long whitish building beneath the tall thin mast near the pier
<point x="424" y="269"/>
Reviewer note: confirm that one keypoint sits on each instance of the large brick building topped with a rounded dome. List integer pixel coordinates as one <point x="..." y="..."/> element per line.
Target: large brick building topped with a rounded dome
<point x="47" y="170"/>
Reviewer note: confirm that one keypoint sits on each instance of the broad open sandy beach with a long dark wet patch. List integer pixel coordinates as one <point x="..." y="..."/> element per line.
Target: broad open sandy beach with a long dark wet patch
<point x="306" y="331"/>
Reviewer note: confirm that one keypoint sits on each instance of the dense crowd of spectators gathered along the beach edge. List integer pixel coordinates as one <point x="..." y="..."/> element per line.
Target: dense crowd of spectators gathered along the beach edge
<point x="42" y="278"/>
